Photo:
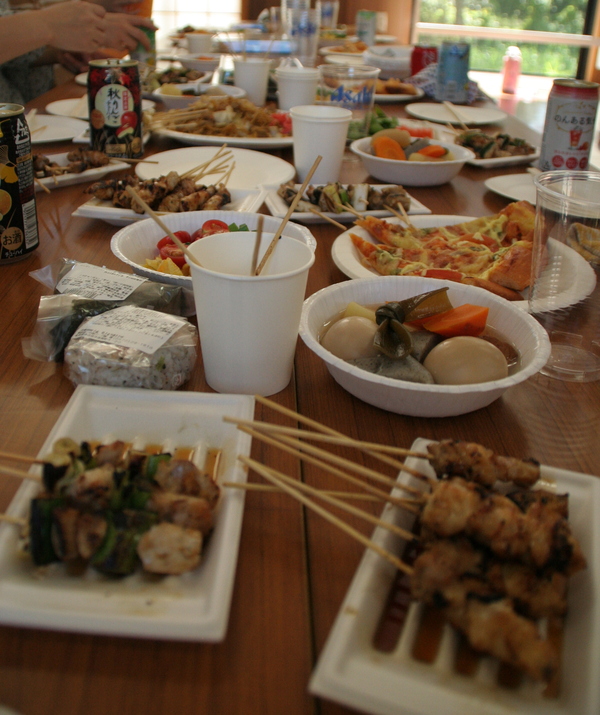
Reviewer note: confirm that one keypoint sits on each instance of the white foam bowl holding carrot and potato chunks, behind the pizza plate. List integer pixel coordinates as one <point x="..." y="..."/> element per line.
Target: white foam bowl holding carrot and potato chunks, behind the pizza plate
<point x="412" y="173"/>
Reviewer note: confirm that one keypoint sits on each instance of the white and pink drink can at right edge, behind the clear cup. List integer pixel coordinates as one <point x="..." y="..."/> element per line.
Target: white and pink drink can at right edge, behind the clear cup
<point x="569" y="125"/>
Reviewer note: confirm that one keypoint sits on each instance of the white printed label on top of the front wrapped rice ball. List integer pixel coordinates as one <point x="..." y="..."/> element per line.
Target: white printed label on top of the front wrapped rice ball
<point x="131" y="327"/>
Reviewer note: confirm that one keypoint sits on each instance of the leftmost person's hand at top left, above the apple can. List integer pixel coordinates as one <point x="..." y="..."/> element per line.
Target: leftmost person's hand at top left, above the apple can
<point x="75" y="26"/>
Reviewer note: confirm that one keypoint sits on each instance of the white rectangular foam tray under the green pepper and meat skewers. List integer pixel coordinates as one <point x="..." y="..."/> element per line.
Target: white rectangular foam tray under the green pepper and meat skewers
<point x="194" y="606"/>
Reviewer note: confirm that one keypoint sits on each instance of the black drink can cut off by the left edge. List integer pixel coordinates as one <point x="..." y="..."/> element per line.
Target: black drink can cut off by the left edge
<point x="18" y="216"/>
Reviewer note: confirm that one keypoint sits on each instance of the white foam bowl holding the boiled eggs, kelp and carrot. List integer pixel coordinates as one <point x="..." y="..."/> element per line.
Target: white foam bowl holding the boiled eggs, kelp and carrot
<point x="513" y="325"/>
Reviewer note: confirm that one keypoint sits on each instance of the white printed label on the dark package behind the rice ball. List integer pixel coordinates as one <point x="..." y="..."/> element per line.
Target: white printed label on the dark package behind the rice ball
<point x="98" y="283"/>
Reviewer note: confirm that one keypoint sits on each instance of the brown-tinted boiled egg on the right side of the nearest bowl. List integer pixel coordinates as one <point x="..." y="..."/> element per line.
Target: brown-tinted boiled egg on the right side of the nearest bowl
<point x="465" y="360"/>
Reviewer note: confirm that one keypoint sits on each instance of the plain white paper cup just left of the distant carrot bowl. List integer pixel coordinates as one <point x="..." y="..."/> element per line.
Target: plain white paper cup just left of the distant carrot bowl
<point x="319" y="130"/>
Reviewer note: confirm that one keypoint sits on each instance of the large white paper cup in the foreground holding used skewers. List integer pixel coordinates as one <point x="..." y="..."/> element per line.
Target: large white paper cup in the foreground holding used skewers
<point x="248" y="324"/>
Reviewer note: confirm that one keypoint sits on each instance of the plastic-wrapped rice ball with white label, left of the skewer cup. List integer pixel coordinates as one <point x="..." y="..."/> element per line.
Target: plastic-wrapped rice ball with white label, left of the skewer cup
<point x="132" y="347"/>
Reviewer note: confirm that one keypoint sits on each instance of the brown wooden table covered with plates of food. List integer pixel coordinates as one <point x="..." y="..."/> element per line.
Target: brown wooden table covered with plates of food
<point x="293" y="568"/>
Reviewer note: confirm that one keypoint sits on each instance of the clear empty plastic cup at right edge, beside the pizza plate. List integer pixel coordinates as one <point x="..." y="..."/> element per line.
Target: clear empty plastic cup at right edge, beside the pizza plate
<point x="565" y="262"/>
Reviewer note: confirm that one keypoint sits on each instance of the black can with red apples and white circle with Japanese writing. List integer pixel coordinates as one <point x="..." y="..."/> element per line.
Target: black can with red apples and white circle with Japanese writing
<point x="115" y="103"/>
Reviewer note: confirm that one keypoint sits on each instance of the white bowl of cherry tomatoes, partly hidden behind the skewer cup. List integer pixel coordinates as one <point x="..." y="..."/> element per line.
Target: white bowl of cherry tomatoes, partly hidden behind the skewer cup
<point x="136" y="243"/>
